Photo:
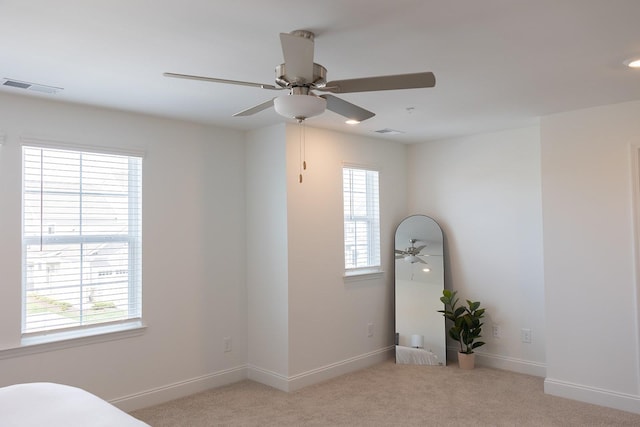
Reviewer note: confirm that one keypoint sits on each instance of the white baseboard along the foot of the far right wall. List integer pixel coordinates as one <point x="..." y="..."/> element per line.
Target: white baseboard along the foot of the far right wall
<point x="596" y="396"/>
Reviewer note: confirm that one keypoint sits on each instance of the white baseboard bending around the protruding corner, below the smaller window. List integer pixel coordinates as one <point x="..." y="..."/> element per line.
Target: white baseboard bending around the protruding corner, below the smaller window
<point x="320" y="374"/>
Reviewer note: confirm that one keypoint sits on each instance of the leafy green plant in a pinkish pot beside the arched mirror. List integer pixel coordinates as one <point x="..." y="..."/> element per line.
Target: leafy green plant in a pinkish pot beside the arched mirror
<point x="466" y="328"/>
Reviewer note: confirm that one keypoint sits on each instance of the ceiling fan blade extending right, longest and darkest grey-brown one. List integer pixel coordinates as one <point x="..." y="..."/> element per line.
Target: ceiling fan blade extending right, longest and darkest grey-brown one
<point x="393" y="82"/>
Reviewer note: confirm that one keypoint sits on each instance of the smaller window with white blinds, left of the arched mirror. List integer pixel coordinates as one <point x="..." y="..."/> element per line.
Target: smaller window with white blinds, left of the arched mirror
<point x="361" y="220"/>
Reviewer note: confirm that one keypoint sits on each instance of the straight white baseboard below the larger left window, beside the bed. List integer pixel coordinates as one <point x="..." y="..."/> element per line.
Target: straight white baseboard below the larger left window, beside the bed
<point x="162" y="394"/>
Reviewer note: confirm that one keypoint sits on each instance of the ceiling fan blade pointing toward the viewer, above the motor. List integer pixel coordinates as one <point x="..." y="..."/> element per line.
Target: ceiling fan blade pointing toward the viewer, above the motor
<point x="297" y="49"/>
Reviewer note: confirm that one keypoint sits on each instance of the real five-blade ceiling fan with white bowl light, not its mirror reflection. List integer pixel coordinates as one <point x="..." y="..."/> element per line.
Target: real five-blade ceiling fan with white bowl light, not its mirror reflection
<point x="301" y="77"/>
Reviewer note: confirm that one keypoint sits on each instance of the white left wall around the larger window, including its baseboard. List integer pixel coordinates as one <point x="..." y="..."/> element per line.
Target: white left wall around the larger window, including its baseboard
<point x="193" y="266"/>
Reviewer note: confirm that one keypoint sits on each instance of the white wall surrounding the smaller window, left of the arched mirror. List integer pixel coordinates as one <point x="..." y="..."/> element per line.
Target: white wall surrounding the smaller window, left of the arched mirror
<point x="328" y="317"/>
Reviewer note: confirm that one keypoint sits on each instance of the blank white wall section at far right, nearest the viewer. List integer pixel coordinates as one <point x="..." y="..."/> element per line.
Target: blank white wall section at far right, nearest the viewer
<point x="591" y="290"/>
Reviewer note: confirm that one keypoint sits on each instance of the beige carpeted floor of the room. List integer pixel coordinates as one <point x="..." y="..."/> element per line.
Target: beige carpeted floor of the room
<point x="389" y="395"/>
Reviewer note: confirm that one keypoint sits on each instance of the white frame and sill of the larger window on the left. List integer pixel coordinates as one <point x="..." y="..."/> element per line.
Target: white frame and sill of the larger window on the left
<point x="132" y="325"/>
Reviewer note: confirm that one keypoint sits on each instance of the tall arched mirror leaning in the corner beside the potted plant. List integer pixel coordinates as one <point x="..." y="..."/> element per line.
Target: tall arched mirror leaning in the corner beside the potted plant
<point x="419" y="265"/>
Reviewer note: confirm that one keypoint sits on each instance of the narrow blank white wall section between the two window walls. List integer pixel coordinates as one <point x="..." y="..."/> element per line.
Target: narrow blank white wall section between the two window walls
<point x="267" y="254"/>
